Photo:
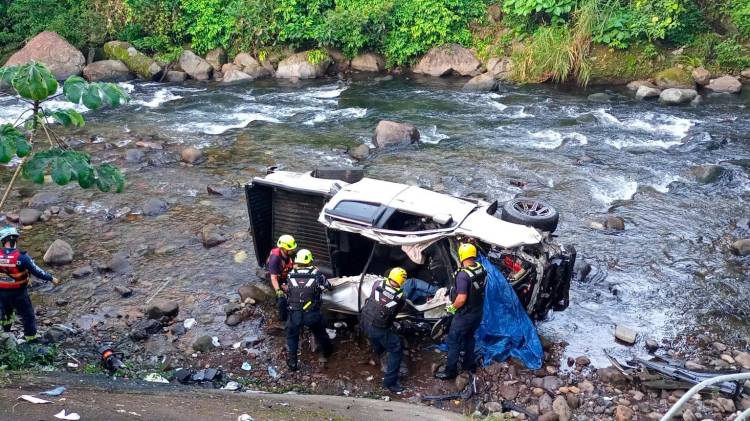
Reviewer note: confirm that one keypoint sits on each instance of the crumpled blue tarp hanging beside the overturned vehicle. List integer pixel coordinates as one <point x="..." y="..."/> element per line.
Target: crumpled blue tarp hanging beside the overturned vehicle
<point x="506" y="330"/>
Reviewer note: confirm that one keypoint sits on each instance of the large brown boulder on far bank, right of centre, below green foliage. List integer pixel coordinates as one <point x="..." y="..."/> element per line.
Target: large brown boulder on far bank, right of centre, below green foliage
<point x="448" y="59"/>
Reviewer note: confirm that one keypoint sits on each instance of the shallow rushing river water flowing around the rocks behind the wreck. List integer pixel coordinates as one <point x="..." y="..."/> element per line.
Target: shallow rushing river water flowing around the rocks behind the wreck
<point x="669" y="273"/>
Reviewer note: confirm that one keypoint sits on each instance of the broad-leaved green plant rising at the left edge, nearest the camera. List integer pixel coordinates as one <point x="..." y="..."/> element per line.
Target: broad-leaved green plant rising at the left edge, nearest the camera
<point x="35" y="84"/>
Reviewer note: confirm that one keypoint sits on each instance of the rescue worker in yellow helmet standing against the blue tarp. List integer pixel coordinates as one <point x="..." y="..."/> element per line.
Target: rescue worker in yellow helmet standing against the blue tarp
<point x="467" y="296"/>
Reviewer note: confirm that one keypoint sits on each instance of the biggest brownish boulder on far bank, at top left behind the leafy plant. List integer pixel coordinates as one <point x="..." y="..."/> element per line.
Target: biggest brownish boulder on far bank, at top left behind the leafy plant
<point x="63" y="59"/>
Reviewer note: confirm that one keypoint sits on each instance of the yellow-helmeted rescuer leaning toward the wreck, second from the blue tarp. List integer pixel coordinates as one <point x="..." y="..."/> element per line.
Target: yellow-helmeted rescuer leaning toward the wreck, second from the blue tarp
<point x="378" y="314"/>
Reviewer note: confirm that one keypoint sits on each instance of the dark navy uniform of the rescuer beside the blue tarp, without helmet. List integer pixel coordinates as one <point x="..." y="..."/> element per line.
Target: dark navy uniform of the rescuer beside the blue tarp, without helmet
<point x="470" y="281"/>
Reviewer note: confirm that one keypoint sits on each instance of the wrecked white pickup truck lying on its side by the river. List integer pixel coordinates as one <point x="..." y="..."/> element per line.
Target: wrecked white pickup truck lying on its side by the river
<point x="355" y="225"/>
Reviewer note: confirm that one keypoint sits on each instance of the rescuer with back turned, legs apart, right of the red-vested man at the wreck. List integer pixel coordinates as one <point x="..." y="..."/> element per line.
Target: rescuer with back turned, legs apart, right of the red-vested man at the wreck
<point x="303" y="296"/>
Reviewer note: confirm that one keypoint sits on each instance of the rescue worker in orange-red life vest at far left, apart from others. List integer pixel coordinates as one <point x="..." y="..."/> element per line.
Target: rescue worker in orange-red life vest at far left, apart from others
<point x="15" y="269"/>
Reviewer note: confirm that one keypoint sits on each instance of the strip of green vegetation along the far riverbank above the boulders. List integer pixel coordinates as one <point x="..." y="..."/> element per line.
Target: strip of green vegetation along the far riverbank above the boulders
<point x="561" y="40"/>
